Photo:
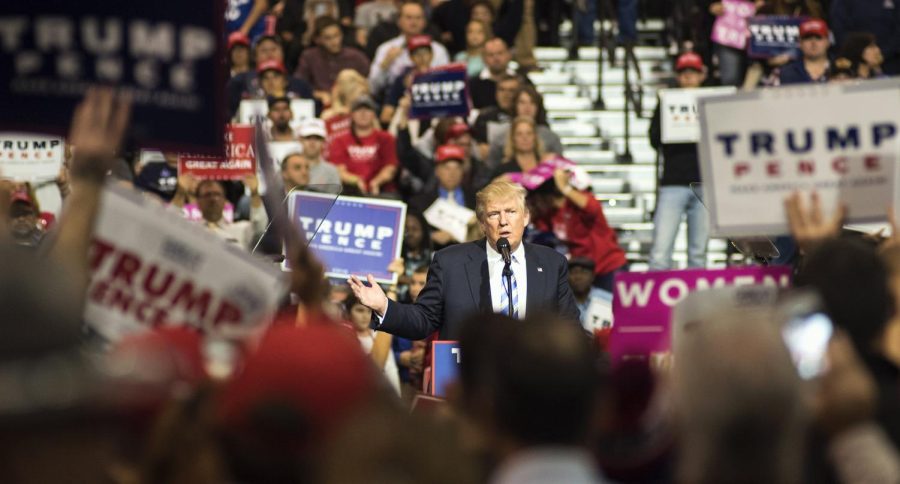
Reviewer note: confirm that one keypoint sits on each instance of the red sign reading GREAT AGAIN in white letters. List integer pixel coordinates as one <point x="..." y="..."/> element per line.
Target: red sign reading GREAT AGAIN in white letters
<point x="239" y="161"/>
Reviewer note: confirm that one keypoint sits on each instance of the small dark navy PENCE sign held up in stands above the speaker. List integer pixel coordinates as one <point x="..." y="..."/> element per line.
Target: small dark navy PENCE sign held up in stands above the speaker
<point x="440" y="92"/>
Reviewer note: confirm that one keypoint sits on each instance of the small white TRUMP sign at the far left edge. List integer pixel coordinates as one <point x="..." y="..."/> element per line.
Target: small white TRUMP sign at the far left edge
<point x="30" y="157"/>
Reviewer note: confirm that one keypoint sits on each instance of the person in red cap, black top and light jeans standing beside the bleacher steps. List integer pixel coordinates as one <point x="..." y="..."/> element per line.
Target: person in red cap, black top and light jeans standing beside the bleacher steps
<point x="681" y="167"/>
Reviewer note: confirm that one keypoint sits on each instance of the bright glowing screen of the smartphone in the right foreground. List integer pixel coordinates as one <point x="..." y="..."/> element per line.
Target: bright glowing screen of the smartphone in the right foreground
<point x="807" y="339"/>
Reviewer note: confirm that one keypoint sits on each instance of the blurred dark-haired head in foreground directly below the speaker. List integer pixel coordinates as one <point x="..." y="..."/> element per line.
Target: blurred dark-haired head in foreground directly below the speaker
<point x="529" y="383"/>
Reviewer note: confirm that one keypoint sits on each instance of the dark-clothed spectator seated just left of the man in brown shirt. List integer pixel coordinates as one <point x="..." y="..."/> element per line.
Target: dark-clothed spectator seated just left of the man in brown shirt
<point x="247" y="85"/>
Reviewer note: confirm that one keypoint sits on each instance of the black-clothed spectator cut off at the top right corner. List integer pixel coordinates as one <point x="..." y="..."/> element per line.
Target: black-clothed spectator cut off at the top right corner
<point x="878" y="17"/>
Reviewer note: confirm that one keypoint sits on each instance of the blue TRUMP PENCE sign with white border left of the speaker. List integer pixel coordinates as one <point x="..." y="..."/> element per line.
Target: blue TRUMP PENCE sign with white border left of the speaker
<point x="350" y="235"/>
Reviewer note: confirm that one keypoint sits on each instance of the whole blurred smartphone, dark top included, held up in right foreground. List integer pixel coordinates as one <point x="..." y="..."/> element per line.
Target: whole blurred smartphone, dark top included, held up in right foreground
<point x="806" y="331"/>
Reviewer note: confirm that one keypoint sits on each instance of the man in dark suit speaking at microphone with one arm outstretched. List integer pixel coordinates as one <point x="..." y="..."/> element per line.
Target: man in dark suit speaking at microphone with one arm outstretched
<point x="467" y="278"/>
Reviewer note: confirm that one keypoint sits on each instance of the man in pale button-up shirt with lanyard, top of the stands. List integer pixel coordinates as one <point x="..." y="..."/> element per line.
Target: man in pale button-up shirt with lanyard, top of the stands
<point x="392" y="58"/>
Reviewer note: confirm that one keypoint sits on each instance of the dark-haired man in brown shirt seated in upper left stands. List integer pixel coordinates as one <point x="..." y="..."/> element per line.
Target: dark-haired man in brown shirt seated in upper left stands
<point x="320" y="66"/>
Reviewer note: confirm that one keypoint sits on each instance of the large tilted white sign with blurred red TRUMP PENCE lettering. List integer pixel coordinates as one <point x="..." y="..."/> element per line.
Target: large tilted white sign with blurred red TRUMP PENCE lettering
<point x="150" y="267"/>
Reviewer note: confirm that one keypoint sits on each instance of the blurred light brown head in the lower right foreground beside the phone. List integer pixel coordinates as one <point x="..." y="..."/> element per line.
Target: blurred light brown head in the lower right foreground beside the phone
<point x="738" y="403"/>
